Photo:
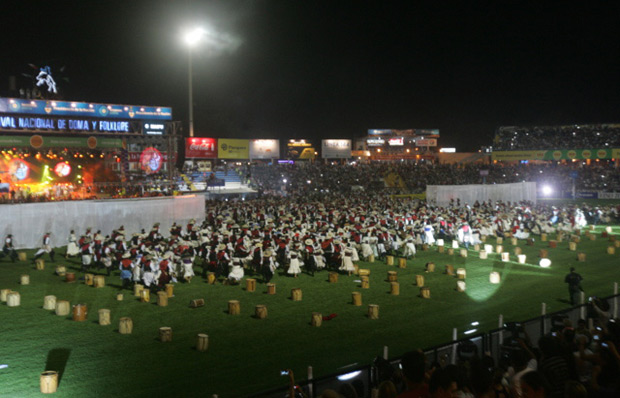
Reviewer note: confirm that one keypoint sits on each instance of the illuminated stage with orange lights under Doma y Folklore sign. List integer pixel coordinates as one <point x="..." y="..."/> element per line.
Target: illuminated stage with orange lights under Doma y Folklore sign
<point x="62" y="150"/>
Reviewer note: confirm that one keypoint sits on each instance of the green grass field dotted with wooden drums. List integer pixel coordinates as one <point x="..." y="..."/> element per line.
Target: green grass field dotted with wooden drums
<point x="245" y="354"/>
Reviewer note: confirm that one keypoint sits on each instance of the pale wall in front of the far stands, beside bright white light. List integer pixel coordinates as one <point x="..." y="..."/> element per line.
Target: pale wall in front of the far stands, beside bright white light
<point x="441" y="195"/>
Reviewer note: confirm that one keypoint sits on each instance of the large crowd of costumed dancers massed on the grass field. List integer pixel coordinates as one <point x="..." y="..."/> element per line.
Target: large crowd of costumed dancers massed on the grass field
<point x="263" y="236"/>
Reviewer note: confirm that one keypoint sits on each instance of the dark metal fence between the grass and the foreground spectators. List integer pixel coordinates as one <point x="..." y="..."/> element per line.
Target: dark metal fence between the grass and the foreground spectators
<point x="486" y="343"/>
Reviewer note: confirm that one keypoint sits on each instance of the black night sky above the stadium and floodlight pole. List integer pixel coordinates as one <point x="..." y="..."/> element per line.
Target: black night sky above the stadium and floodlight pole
<point x="331" y="69"/>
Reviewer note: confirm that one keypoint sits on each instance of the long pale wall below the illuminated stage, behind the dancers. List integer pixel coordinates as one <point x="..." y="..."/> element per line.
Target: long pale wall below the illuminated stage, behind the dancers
<point x="28" y="222"/>
